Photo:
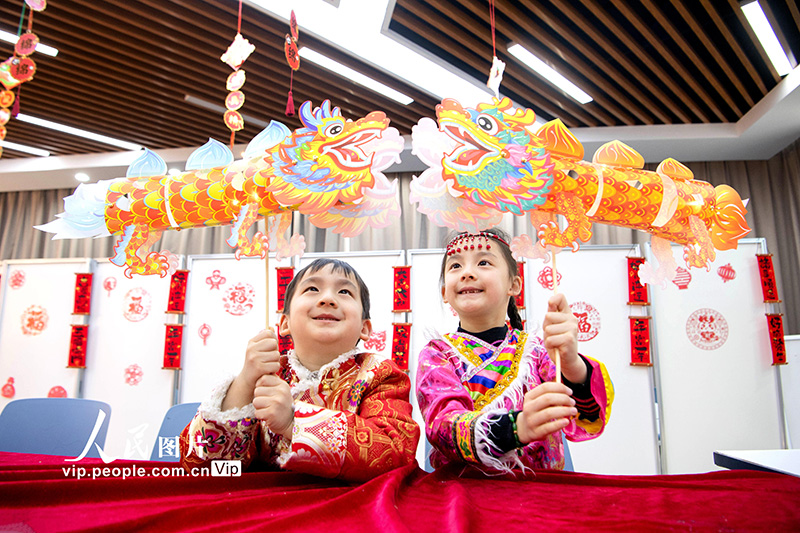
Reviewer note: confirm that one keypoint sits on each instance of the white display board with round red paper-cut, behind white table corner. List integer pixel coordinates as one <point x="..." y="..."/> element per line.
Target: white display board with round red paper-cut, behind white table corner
<point x="718" y="390"/>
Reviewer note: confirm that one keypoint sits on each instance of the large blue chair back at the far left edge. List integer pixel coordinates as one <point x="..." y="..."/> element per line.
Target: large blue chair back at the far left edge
<point x="54" y="426"/>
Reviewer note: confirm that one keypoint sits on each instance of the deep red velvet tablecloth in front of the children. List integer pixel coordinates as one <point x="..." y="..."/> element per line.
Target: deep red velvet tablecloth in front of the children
<point x="42" y="493"/>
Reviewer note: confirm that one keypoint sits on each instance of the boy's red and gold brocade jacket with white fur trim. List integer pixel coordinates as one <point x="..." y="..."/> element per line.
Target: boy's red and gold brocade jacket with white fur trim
<point x="352" y="421"/>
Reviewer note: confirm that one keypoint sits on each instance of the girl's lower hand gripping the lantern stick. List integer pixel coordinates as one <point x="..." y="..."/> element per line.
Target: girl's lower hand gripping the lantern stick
<point x="545" y="410"/>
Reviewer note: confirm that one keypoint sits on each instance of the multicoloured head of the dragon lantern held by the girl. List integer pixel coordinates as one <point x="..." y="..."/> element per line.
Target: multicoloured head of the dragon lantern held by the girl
<point x="496" y="161"/>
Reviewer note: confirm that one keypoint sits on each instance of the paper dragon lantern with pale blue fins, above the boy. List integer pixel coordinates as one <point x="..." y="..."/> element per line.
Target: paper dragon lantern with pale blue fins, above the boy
<point x="330" y="169"/>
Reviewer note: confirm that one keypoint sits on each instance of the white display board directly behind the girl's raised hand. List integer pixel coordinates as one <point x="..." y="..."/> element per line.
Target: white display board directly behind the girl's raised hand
<point x="595" y="283"/>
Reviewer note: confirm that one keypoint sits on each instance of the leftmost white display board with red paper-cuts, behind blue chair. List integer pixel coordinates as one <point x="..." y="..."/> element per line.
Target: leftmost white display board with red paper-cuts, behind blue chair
<point x="38" y="298"/>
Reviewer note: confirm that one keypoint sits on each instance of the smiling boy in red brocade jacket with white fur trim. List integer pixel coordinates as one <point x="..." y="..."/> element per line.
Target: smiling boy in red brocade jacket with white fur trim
<point x="328" y="408"/>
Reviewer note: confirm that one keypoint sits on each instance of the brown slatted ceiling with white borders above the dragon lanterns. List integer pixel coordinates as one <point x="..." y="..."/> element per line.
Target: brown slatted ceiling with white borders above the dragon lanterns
<point x="680" y="78"/>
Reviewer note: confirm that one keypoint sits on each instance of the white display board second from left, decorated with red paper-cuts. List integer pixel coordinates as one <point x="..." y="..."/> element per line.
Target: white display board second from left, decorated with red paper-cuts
<point x="125" y="356"/>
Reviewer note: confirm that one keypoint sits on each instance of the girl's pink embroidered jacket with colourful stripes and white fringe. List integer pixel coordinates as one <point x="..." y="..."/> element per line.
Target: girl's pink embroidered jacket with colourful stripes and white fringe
<point x="464" y="385"/>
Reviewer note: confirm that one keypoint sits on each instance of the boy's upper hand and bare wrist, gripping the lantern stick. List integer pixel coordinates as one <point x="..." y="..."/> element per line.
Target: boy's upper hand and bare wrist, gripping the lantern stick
<point x="262" y="357"/>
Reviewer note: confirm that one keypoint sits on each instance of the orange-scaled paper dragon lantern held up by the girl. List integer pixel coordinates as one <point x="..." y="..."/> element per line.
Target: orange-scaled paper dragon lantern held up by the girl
<point x="484" y="161"/>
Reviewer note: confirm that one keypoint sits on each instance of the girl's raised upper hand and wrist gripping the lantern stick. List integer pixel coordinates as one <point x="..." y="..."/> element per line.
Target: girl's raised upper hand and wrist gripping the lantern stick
<point x="561" y="332"/>
